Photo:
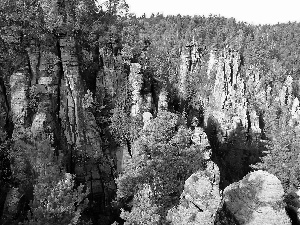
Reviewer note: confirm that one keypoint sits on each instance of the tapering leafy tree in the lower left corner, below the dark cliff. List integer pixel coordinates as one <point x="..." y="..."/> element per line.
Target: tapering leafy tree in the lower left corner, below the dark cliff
<point x="55" y="196"/>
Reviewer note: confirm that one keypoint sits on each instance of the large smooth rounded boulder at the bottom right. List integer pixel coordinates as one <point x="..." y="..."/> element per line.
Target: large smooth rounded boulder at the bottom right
<point x="257" y="199"/>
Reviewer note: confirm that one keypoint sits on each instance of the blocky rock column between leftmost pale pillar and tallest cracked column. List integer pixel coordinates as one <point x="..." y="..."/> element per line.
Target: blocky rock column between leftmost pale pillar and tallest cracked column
<point x="44" y="92"/>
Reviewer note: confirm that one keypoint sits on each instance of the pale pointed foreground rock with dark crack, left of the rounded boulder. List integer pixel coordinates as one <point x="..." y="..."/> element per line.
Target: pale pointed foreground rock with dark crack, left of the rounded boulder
<point x="200" y="199"/>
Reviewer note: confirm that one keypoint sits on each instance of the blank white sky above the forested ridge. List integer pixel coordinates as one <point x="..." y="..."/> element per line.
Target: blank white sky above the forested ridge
<point x="250" y="11"/>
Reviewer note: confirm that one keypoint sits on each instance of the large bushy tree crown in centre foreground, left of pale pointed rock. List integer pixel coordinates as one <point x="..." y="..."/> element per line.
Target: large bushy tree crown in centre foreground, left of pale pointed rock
<point x="162" y="160"/>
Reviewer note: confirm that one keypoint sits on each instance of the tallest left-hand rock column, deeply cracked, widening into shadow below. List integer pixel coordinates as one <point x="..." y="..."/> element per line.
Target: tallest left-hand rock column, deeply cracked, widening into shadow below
<point x="78" y="122"/>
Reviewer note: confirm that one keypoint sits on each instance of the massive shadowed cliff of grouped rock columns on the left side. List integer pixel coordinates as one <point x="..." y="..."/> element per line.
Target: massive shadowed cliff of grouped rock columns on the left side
<point x="49" y="99"/>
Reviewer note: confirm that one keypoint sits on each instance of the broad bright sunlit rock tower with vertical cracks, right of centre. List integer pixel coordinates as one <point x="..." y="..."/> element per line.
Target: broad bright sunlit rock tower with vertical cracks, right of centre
<point x="228" y="104"/>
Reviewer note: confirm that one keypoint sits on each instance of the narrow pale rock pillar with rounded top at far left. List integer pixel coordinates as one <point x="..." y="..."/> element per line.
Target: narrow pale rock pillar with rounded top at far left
<point x="19" y="84"/>
